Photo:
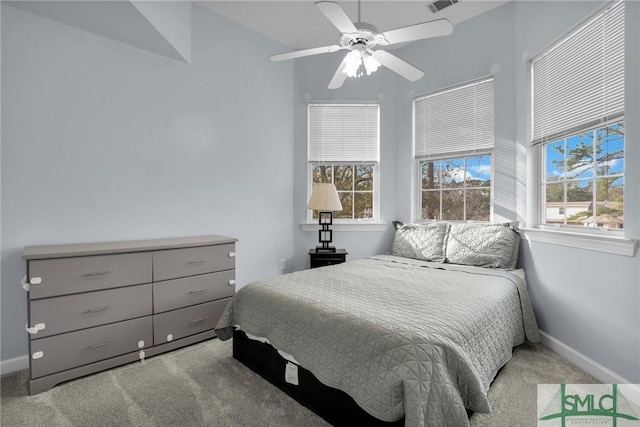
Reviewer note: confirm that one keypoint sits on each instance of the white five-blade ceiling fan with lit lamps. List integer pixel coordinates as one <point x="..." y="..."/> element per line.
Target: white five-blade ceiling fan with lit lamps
<point x="360" y="38"/>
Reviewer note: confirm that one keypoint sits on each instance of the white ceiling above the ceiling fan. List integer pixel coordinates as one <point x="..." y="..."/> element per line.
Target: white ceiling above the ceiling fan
<point x="299" y="25"/>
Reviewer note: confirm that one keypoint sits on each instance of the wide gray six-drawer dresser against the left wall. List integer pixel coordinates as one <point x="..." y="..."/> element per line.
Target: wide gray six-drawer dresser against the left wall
<point x="94" y="306"/>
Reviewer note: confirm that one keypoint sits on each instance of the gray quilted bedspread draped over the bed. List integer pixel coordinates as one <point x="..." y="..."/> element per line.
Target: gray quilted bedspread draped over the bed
<point x="410" y="341"/>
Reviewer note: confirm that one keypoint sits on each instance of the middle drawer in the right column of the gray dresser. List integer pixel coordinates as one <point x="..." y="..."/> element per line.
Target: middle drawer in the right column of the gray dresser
<point x="178" y="293"/>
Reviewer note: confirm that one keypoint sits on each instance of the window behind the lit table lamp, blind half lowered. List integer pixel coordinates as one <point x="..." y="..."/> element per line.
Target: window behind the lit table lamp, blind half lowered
<point x="344" y="150"/>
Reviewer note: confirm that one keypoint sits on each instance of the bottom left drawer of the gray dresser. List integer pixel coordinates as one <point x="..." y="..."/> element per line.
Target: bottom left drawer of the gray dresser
<point x="60" y="352"/>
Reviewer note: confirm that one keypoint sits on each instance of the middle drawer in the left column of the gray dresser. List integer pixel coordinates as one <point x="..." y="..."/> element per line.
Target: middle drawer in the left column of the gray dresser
<point x="80" y="311"/>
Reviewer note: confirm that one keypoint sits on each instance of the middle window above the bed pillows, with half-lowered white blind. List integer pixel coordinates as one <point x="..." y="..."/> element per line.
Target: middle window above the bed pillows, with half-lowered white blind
<point x="453" y="141"/>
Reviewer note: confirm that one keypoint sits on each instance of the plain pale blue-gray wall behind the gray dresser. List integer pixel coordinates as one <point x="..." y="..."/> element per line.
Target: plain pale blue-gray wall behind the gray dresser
<point x="104" y="141"/>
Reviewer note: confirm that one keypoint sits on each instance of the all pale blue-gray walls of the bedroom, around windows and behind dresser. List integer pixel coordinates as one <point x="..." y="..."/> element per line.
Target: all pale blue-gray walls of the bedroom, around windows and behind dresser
<point x="102" y="141"/>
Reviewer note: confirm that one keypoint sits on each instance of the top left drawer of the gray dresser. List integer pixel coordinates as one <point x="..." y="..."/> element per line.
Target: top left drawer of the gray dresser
<point x="62" y="276"/>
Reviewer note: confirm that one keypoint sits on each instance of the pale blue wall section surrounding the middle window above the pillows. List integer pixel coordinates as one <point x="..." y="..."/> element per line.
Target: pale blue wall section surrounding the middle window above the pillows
<point x="481" y="47"/>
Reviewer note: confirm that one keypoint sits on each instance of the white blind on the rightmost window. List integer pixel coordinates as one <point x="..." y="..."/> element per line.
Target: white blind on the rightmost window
<point x="578" y="83"/>
